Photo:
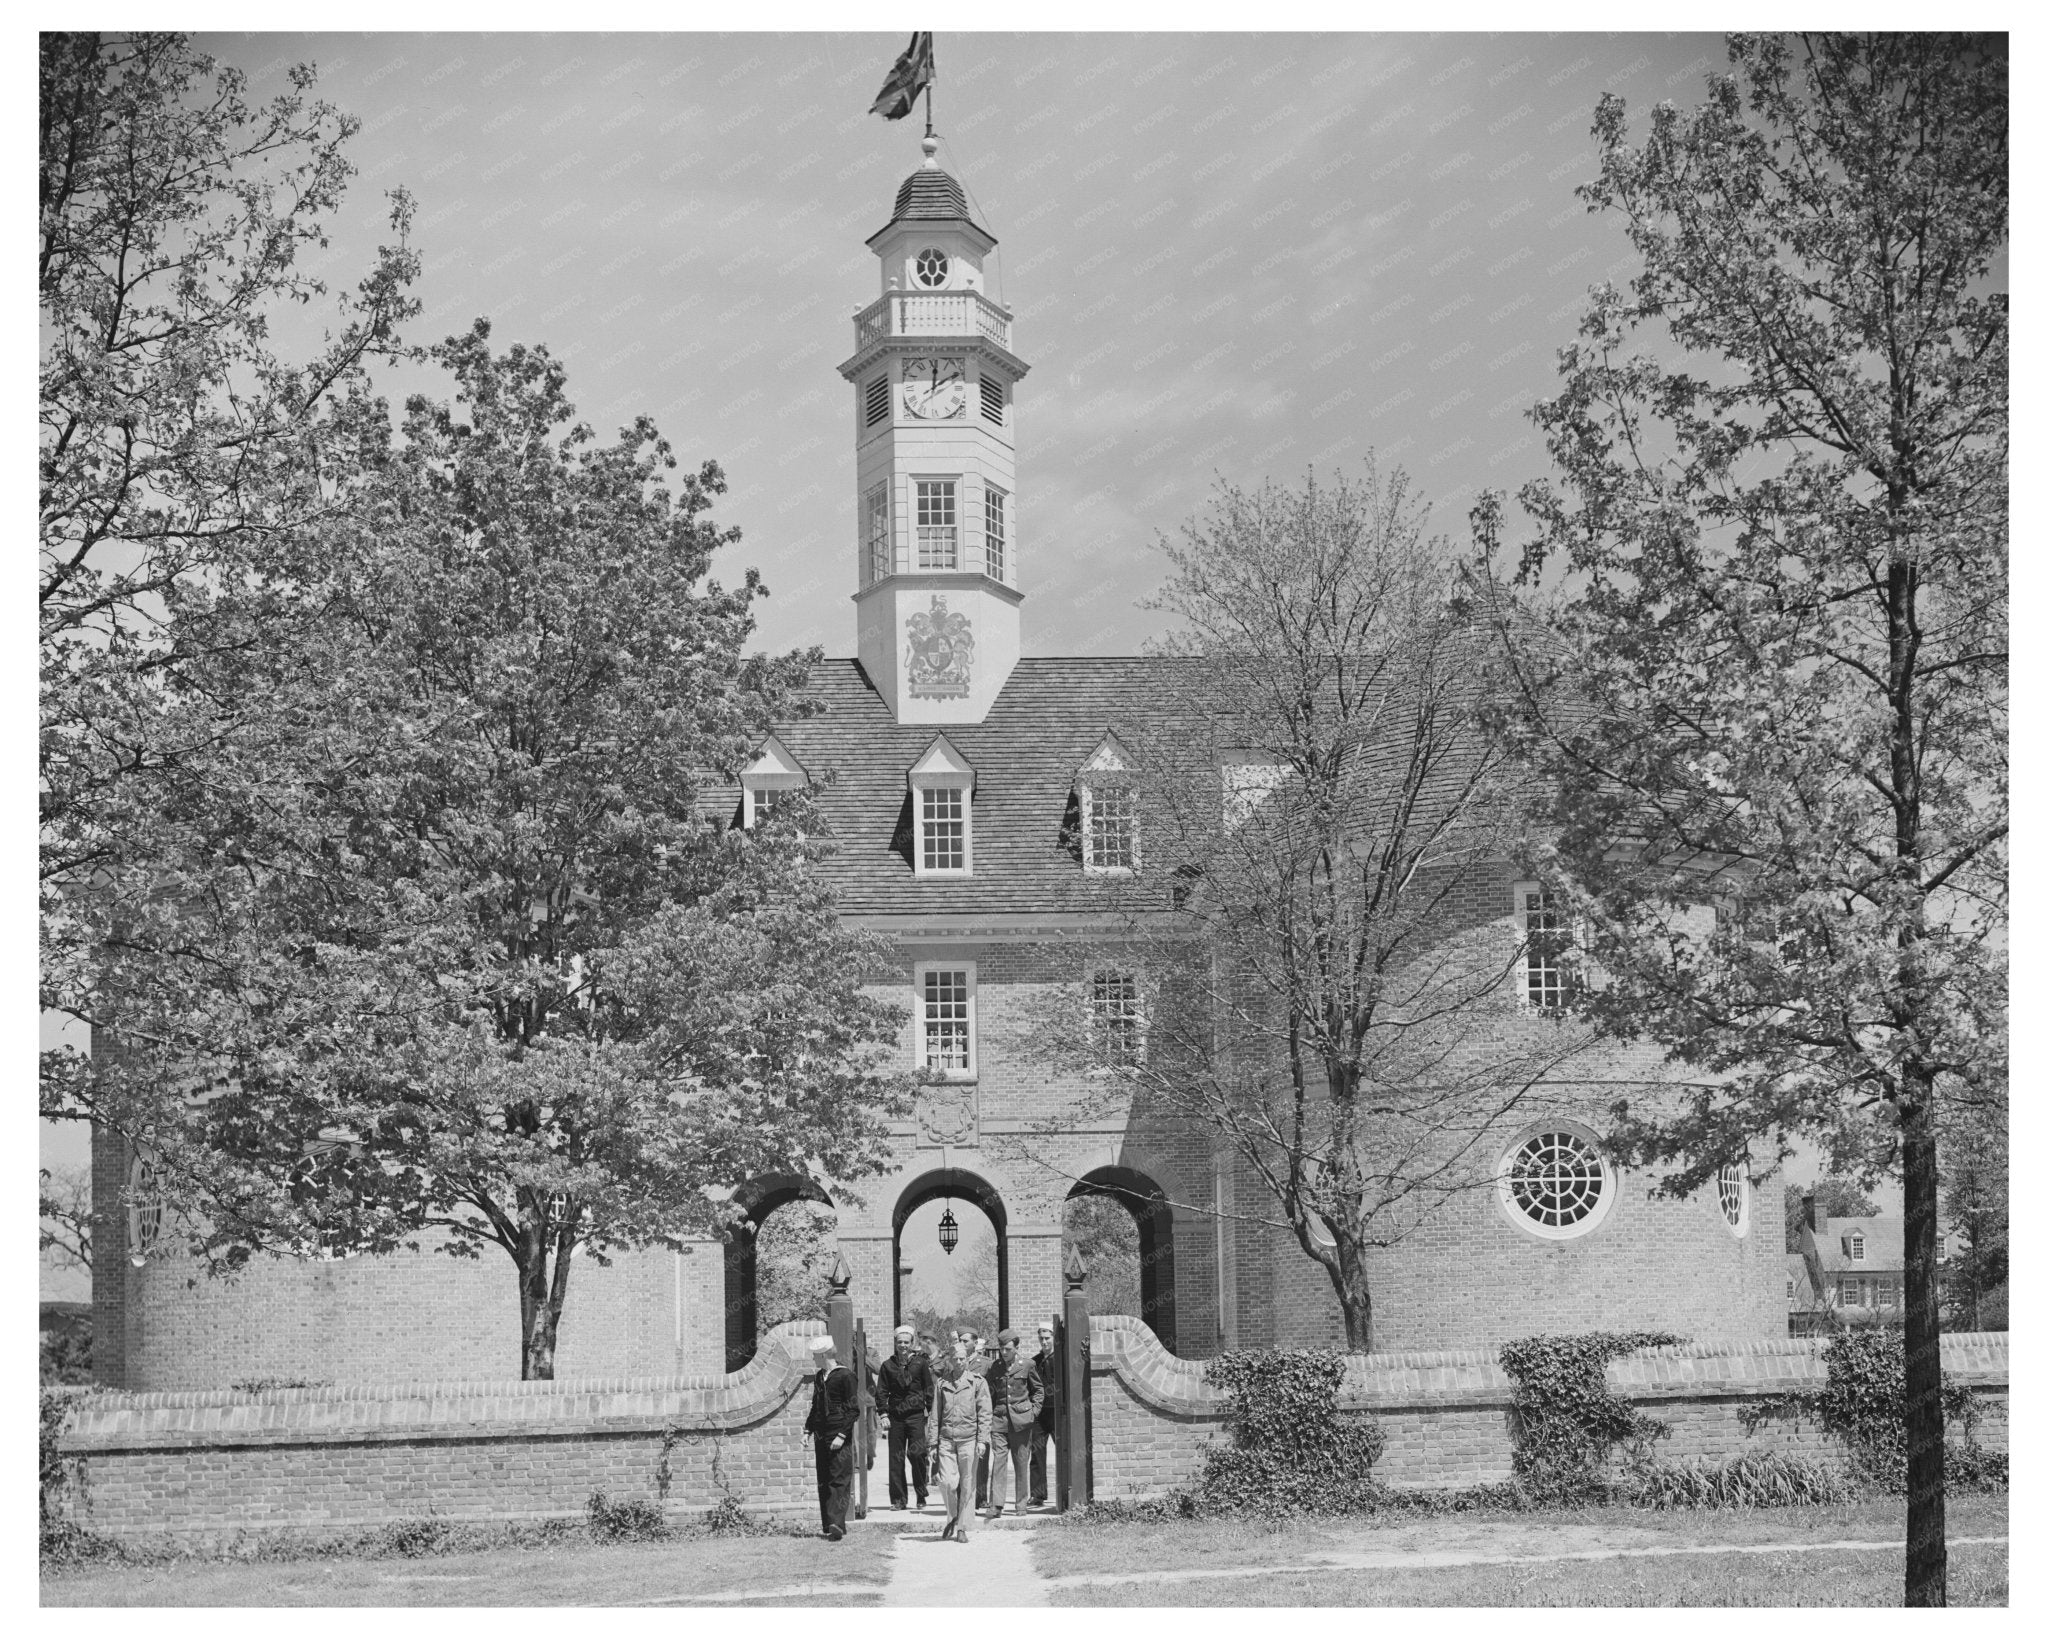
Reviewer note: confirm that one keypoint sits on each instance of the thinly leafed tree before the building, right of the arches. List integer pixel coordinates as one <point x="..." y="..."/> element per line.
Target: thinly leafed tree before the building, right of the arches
<point x="1316" y="780"/>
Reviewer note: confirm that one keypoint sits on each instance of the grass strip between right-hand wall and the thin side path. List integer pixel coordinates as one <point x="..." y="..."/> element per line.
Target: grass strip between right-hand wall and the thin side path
<point x="1109" y="1550"/>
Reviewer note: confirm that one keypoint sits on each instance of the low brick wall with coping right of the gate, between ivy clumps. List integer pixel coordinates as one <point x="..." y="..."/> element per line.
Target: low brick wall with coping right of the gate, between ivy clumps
<point x="1445" y="1413"/>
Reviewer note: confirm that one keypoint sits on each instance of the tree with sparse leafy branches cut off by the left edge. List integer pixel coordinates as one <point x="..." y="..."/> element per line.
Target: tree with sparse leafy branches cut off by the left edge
<point x="179" y="452"/>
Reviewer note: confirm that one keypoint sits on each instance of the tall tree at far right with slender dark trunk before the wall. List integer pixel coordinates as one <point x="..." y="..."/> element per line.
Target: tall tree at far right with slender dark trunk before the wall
<point x="1783" y="614"/>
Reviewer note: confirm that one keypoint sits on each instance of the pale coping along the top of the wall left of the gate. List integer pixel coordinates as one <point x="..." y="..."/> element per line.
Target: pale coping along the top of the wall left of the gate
<point x="710" y="1402"/>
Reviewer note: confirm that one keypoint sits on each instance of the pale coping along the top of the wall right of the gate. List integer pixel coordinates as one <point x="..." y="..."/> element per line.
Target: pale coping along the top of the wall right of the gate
<point x="1129" y="1351"/>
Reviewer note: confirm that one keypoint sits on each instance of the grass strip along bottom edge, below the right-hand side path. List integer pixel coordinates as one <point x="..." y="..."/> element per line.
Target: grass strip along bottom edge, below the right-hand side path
<point x="1975" y="1577"/>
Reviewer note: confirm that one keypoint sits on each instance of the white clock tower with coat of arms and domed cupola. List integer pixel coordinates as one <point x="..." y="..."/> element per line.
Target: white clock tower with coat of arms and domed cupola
<point x="935" y="503"/>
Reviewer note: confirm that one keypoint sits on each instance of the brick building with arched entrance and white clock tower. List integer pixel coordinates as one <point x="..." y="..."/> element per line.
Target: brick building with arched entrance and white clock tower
<point x="984" y="814"/>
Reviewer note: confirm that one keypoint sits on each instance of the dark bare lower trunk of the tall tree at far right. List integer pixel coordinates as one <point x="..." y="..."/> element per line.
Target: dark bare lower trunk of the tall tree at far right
<point x="1926" y="1458"/>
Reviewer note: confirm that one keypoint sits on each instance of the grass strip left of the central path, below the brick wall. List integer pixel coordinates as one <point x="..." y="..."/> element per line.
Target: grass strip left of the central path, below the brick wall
<point x="779" y="1568"/>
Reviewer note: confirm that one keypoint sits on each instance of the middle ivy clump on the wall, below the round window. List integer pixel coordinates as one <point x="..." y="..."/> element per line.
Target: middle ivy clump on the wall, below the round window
<point x="1566" y="1419"/>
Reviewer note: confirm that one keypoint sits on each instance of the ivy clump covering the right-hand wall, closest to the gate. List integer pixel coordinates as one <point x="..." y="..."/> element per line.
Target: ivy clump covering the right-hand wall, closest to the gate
<point x="1291" y="1447"/>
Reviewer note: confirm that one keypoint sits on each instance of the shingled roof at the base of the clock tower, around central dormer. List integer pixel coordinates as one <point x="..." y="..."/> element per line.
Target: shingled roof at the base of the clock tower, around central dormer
<point x="1046" y="722"/>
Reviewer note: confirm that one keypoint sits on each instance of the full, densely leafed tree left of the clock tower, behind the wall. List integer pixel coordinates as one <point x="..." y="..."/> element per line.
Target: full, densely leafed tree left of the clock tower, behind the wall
<point x="460" y="950"/>
